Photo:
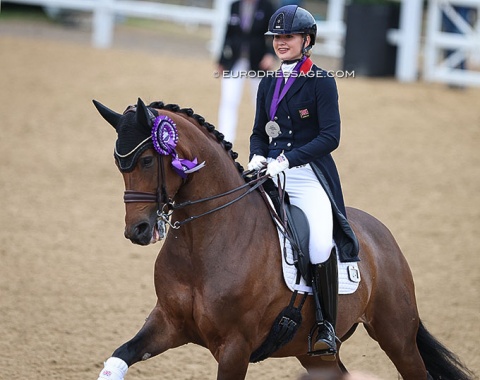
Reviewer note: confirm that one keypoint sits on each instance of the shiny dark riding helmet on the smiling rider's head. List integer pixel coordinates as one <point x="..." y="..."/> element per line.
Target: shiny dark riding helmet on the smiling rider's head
<point x="292" y="19"/>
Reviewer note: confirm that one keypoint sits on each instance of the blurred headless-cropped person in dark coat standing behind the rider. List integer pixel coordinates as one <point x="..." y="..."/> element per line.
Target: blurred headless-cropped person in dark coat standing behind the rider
<point x="245" y="49"/>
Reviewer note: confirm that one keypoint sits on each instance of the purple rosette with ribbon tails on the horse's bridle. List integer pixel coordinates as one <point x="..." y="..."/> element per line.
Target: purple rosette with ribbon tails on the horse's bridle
<point x="165" y="138"/>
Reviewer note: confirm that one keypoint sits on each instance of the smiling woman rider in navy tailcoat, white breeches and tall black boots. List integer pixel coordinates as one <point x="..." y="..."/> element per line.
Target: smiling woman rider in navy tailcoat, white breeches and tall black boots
<point x="297" y="126"/>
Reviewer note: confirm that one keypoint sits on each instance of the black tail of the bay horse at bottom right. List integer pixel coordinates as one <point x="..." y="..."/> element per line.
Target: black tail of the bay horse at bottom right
<point x="440" y="362"/>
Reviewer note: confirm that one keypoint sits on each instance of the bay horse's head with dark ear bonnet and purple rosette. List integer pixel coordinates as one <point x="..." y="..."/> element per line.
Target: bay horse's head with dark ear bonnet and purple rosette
<point x="144" y="153"/>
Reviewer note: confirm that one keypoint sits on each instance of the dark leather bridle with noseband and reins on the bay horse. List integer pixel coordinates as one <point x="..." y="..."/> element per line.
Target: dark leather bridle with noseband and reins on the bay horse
<point x="166" y="205"/>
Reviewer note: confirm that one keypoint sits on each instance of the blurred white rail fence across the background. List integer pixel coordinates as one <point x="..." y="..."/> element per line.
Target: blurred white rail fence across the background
<point x="331" y="32"/>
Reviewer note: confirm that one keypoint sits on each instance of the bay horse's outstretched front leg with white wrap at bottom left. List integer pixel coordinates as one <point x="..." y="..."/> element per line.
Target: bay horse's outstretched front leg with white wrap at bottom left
<point x="156" y="336"/>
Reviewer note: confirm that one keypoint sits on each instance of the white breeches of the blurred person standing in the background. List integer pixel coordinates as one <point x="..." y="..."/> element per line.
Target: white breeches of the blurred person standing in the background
<point x="231" y="95"/>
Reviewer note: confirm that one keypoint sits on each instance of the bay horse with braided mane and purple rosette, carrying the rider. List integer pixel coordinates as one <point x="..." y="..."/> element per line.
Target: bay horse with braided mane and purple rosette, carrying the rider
<point x="218" y="275"/>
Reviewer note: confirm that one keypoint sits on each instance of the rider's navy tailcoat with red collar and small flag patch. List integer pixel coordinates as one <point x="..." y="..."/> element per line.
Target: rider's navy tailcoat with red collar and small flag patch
<point x="309" y="121"/>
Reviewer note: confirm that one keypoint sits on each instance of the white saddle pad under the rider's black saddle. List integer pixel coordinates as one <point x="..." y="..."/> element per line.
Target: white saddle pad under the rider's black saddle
<point x="348" y="273"/>
